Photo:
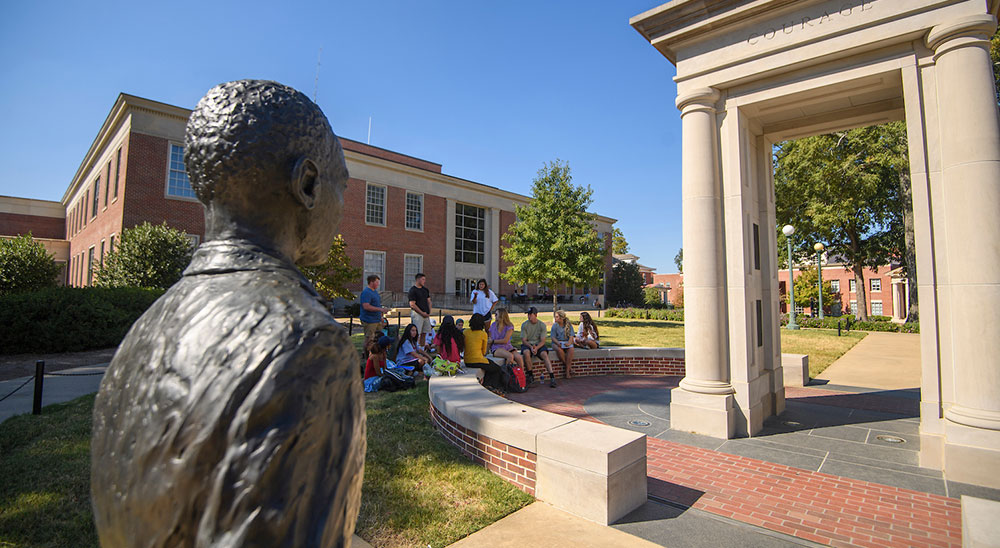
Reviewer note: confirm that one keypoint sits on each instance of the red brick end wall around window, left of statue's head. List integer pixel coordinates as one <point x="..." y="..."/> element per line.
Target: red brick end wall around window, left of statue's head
<point x="145" y="189"/>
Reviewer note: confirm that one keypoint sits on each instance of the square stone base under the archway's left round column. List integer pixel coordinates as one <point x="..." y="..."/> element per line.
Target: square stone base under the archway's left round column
<point x="707" y="414"/>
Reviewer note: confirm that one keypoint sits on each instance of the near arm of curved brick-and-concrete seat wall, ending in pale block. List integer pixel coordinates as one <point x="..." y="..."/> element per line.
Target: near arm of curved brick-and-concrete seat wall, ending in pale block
<point x="591" y="470"/>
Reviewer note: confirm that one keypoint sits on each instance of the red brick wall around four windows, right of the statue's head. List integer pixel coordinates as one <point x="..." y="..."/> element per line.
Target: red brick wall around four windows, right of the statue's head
<point x="393" y="238"/>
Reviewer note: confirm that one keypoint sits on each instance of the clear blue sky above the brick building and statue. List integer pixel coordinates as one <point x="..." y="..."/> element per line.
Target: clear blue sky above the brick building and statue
<point x="491" y="92"/>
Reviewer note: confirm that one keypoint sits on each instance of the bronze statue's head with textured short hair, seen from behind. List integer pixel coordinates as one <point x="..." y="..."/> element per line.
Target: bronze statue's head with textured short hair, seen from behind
<point x="264" y="156"/>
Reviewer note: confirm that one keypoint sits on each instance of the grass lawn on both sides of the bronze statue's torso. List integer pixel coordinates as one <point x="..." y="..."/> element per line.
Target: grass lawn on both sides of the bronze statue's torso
<point x="418" y="489"/>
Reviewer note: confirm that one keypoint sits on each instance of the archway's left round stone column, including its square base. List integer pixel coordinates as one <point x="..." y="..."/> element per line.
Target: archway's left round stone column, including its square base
<point x="703" y="403"/>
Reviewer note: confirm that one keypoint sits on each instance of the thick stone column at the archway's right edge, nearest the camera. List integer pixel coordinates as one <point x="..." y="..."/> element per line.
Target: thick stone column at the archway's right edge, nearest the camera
<point x="970" y="175"/>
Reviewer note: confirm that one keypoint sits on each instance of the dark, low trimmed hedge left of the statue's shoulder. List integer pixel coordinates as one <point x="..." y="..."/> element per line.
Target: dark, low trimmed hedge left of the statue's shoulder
<point x="67" y="319"/>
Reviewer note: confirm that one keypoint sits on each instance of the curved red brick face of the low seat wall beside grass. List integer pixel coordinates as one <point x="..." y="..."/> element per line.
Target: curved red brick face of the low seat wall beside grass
<point x="515" y="465"/>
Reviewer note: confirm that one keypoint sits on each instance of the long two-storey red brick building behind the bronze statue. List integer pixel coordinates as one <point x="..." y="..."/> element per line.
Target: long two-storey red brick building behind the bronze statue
<point x="401" y="214"/>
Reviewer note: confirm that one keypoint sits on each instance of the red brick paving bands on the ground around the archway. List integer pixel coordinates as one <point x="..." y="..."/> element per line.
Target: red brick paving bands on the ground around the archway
<point x="814" y="506"/>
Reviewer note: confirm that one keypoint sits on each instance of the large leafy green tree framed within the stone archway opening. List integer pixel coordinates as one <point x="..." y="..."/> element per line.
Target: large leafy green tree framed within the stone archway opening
<point x="844" y="190"/>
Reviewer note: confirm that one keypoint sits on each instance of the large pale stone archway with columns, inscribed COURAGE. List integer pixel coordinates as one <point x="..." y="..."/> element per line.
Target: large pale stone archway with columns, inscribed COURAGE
<point x="754" y="73"/>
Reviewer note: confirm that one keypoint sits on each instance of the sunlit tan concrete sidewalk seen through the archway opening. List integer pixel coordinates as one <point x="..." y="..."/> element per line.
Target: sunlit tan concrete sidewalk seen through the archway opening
<point x="888" y="361"/>
